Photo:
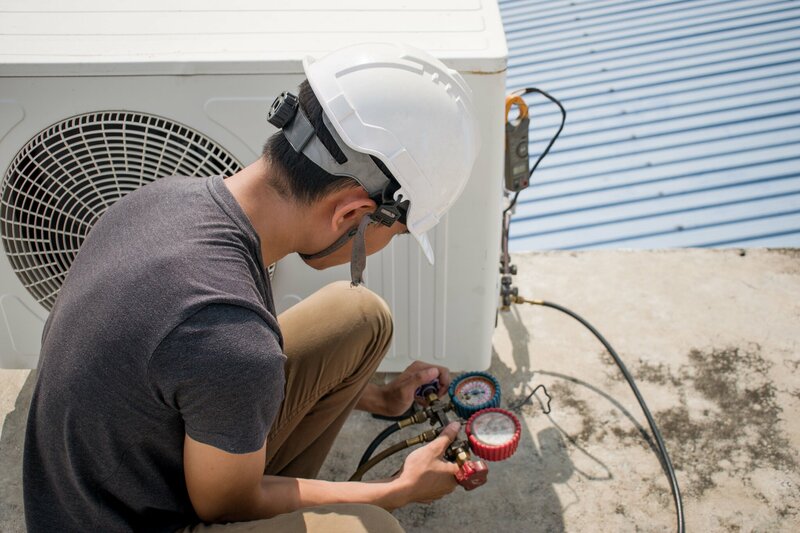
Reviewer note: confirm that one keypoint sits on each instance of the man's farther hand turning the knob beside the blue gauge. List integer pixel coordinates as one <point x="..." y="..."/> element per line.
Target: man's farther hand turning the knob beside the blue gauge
<point x="394" y="399"/>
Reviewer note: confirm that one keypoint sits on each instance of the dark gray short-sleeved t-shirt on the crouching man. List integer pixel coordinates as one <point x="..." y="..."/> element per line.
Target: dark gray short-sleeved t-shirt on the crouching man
<point x="165" y="325"/>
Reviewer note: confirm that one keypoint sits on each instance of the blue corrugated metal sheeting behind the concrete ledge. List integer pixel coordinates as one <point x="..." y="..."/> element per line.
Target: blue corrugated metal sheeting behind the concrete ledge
<point x="683" y="125"/>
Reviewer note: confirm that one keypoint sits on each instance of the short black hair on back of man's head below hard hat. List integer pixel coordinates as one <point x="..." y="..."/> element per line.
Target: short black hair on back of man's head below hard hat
<point x="298" y="177"/>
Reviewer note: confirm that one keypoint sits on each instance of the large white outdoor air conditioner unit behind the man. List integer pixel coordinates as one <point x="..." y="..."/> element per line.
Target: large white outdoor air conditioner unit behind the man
<point x="99" y="98"/>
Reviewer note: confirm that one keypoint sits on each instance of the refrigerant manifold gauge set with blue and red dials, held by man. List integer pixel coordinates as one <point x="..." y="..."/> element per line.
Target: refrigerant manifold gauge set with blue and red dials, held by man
<point x="492" y="433"/>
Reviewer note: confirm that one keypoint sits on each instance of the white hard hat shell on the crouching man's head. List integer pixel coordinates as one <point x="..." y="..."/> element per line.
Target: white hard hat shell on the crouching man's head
<point x="405" y="107"/>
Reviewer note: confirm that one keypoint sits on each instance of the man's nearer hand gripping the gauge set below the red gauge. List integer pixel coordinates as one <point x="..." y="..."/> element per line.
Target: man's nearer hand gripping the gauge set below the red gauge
<point x="426" y="476"/>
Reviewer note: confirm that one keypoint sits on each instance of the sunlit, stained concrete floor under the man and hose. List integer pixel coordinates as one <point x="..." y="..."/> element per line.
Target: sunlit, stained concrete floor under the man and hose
<point x="713" y="339"/>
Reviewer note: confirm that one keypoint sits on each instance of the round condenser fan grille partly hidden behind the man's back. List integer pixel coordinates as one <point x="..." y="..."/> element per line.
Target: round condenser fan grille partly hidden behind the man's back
<point x="64" y="178"/>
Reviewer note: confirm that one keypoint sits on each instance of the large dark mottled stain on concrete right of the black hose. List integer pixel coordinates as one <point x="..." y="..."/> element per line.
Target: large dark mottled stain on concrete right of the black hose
<point x="739" y="434"/>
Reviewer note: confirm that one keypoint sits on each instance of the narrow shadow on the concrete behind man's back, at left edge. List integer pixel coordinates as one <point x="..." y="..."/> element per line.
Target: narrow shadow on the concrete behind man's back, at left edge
<point x="12" y="437"/>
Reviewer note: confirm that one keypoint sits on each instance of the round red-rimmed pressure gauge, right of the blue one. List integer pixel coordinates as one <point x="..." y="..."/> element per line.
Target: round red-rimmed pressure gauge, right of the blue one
<point x="493" y="434"/>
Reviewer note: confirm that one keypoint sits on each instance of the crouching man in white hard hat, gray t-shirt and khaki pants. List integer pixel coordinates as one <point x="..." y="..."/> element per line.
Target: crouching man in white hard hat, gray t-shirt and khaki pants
<point x="170" y="396"/>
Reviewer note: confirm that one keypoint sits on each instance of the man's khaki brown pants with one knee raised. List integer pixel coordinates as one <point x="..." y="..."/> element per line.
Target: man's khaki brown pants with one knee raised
<point x="334" y="341"/>
